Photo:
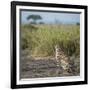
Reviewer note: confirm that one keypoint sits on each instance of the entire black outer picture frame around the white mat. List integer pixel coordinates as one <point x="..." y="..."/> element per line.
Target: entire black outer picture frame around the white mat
<point x="14" y="84"/>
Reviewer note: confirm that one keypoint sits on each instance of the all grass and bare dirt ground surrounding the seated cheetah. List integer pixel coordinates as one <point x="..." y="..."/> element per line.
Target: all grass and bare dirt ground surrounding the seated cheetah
<point x="38" y="49"/>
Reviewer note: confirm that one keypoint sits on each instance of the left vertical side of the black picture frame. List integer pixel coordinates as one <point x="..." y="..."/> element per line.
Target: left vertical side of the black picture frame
<point x="13" y="45"/>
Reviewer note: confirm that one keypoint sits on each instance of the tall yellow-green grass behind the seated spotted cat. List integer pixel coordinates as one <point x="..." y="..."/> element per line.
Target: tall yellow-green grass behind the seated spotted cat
<point x="41" y="39"/>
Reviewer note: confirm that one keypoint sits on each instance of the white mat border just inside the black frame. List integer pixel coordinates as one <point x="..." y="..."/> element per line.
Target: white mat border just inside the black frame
<point x="51" y="79"/>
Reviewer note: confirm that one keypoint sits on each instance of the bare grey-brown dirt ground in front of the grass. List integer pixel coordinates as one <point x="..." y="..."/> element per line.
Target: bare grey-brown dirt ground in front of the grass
<point x="42" y="67"/>
